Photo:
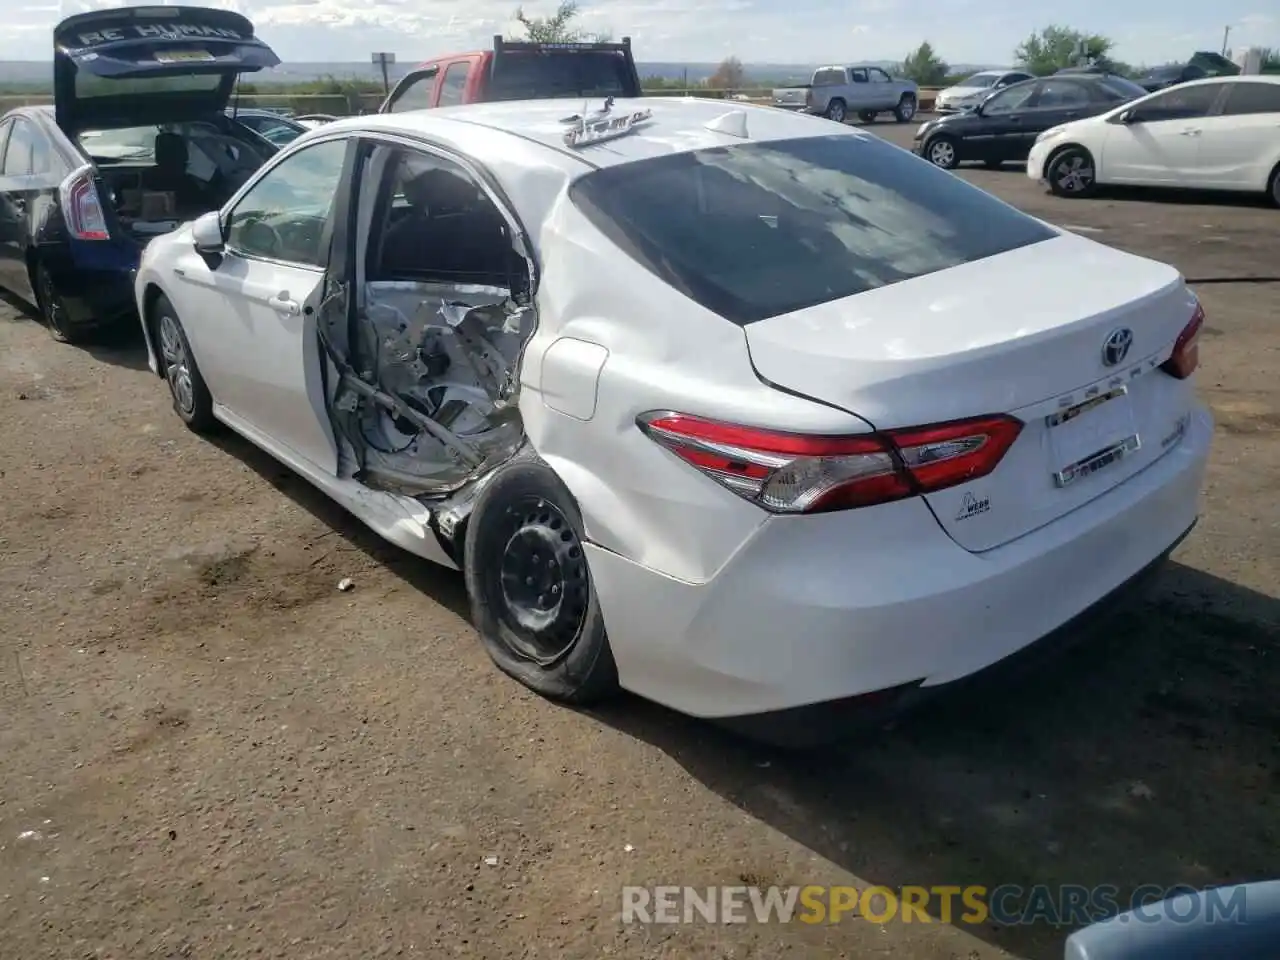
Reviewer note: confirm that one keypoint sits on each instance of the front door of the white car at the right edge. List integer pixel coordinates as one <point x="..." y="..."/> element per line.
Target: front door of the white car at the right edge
<point x="1160" y="143"/>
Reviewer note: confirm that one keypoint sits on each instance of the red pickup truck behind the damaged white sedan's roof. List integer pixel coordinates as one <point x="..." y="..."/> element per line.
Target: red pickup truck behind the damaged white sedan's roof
<point x="519" y="71"/>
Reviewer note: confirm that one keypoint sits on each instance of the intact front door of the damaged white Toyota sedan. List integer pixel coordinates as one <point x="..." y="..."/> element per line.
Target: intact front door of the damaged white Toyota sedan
<point x="253" y="314"/>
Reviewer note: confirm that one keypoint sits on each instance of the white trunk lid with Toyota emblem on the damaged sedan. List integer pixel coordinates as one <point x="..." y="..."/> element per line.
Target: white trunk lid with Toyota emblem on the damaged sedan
<point x="1021" y="333"/>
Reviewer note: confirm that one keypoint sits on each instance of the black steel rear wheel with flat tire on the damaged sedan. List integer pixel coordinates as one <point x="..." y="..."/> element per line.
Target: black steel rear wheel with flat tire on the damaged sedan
<point x="532" y="595"/>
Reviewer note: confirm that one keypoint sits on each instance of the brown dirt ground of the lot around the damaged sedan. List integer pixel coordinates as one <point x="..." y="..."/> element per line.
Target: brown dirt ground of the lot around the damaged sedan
<point x="211" y="752"/>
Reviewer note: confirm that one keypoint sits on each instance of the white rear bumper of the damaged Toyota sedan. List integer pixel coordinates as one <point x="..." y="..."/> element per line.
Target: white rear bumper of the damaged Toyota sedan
<point x="819" y="610"/>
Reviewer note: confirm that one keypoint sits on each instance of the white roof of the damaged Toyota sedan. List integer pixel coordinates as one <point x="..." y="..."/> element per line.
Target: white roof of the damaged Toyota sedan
<point x="678" y="125"/>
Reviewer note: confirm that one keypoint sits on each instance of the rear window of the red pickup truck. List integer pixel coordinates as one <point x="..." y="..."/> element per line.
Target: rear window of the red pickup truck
<point x="540" y="76"/>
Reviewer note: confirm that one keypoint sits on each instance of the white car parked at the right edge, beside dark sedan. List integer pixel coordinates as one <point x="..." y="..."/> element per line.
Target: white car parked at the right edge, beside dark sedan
<point x="1218" y="134"/>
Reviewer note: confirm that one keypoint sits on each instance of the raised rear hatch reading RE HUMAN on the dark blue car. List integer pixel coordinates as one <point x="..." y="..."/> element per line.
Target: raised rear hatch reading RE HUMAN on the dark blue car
<point x="140" y="66"/>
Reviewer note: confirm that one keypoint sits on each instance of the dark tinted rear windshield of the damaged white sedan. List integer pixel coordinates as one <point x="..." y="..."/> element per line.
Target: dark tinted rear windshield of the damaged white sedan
<point x="761" y="230"/>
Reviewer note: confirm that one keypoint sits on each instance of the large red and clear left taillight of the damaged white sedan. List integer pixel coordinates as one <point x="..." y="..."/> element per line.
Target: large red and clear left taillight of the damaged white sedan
<point x="810" y="474"/>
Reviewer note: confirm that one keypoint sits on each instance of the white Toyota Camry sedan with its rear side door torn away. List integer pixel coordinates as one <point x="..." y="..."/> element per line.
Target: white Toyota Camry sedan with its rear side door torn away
<point x="753" y="417"/>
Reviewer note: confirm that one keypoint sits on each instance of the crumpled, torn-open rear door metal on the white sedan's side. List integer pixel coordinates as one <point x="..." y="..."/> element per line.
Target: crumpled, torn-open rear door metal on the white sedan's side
<point x="427" y="394"/>
